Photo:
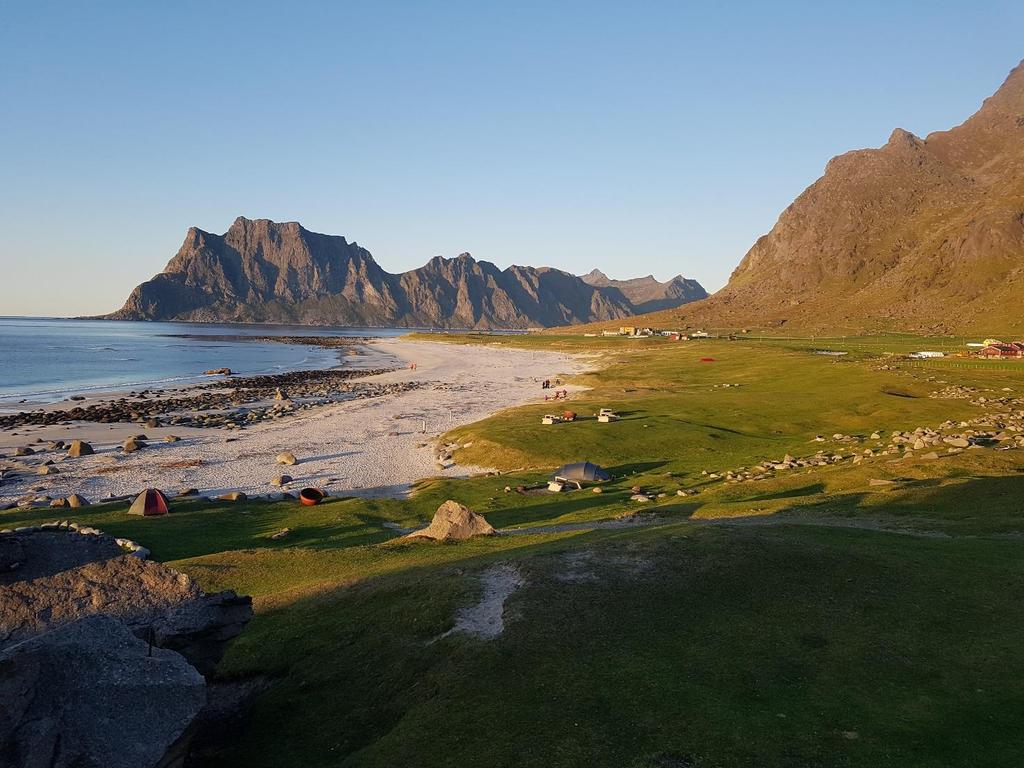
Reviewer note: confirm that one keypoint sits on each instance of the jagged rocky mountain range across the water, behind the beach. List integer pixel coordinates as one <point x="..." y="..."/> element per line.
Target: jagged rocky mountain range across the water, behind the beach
<point x="265" y="272"/>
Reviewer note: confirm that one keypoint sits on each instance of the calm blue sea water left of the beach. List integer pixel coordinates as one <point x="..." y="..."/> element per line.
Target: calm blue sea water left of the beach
<point x="47" y="360"/>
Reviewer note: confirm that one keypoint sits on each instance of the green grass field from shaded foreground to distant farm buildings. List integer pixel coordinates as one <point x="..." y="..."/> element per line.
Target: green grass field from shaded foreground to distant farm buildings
<point x="812" y="619"/>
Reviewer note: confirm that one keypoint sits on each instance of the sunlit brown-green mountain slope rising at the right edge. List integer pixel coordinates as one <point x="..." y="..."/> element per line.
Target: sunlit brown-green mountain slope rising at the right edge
<point x="921" y="235"/>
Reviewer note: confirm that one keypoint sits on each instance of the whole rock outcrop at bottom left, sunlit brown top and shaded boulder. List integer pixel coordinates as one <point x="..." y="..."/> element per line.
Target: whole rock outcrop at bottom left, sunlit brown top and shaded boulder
<point x="102" y="653"/>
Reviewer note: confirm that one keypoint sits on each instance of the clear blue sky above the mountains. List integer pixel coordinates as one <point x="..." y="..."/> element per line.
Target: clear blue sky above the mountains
<point x="653" y="138"/>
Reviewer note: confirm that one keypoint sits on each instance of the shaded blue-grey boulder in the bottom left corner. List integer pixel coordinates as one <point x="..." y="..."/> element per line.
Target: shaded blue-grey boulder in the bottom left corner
<point x="91" y="695"/>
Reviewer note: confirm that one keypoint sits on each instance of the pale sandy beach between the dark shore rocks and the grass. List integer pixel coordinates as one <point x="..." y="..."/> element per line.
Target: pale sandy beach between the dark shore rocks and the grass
<point x="374" y="447"/>
